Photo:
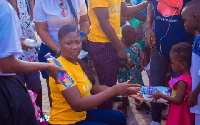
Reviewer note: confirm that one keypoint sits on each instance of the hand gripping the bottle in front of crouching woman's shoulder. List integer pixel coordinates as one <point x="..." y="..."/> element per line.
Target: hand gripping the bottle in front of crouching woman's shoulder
<point x="53" y="71"/>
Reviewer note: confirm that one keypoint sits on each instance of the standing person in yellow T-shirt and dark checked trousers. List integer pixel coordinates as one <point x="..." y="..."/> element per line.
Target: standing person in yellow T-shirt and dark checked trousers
<point x="104" y="45"/>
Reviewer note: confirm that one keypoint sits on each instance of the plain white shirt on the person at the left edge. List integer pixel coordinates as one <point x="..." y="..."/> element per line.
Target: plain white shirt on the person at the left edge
<point x="10" y="32"/>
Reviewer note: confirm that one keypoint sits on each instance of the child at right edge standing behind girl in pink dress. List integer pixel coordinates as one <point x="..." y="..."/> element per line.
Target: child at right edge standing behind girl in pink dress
<point x="191" y="16"/>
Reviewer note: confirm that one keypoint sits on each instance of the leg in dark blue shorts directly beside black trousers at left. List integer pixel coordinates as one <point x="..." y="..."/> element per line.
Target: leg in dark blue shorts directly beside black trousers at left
<point x="33" y="83"/>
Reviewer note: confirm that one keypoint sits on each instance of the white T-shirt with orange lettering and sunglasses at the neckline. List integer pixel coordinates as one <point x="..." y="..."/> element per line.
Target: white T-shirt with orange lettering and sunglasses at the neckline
<point x="49" y="11"/>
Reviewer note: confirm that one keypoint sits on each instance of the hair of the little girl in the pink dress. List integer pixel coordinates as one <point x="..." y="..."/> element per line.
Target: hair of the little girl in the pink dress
<point x="183" y="51"/>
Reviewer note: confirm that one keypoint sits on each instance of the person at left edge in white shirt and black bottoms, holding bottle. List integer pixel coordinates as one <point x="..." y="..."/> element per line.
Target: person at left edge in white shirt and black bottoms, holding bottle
<point x="16" y="107"/>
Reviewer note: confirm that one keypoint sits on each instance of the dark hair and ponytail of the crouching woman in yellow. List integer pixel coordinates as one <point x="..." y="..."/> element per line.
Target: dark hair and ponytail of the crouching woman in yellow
<point x="63" y="31"/>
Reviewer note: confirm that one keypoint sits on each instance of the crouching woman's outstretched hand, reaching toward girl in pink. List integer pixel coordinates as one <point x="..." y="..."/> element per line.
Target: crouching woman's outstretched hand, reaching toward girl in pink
<point x="126" y="89"/>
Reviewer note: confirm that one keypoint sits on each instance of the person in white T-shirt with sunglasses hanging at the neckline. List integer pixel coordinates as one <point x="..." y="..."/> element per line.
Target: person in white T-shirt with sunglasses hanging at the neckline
<point x="49" y="16"/>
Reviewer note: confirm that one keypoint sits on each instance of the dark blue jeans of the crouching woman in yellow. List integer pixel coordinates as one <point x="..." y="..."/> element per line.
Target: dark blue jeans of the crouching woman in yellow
<point x="103" y="117"/>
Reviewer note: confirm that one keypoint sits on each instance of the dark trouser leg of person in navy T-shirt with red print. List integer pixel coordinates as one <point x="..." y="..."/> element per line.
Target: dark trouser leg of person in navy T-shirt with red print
<point x="158" y="73"/>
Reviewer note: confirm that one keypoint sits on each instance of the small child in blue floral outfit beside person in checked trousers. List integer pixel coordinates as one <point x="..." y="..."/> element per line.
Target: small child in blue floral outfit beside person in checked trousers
<point x="130" y="70"/>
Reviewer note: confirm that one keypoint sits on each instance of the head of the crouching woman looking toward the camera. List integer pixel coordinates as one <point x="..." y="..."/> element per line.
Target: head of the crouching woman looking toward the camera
<point x="69" y="41"/>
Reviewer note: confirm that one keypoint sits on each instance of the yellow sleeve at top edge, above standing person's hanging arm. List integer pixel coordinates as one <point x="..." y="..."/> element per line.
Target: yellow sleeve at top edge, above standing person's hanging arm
<point x="99" y="3"/>
